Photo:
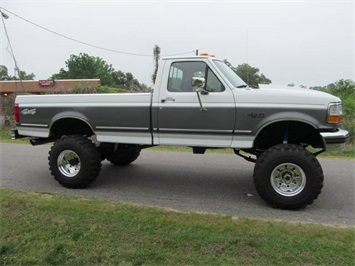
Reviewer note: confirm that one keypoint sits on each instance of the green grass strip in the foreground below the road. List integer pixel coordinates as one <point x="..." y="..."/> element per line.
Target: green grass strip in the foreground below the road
<point x="50" y="229"/>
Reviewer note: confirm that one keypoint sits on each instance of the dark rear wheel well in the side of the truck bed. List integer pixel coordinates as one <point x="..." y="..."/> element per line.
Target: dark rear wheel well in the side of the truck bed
<point x="70" y="126"/>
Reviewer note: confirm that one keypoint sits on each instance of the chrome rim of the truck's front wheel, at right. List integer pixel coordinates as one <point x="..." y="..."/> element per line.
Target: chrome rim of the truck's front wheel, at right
<point x="288" y="179"/>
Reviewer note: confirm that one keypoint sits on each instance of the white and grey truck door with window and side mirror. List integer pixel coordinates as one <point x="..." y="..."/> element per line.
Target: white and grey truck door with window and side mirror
<point x="182" y="121"/>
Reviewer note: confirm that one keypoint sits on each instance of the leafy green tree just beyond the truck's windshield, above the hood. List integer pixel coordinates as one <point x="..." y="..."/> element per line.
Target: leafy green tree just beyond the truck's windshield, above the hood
<point x="249" y="74"/>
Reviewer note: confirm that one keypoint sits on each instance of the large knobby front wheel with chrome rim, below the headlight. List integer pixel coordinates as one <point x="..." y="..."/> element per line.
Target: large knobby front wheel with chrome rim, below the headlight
<point x="288" y="177"/>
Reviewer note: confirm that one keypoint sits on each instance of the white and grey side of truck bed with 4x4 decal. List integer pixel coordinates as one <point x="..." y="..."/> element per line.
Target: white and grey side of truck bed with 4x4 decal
<point x="108" y="115"/>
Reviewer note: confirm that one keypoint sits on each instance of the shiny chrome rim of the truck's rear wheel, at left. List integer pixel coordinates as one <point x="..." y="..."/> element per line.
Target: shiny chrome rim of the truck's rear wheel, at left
<point x="69" y="163"/>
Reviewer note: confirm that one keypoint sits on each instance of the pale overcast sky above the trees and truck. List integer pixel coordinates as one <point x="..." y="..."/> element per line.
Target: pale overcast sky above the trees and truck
<point x="302" y="42"/>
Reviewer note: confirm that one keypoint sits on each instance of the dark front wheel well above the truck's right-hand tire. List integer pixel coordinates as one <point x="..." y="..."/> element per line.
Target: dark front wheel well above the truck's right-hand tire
<point x="293" y="132"/>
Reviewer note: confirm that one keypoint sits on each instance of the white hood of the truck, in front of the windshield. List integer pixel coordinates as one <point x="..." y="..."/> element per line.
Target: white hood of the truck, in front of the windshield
<point x="284" y="96"/>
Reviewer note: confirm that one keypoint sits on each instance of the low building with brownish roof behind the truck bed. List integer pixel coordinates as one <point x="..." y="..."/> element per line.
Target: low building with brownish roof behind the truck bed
<point x="44" y="86"/>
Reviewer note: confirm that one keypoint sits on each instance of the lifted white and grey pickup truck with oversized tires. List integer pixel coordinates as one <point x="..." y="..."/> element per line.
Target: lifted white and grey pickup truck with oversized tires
<point x="197" y="102"/>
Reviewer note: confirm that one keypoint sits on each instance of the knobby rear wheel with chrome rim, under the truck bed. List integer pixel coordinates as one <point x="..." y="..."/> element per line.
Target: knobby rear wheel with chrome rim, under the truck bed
<point x="74" y="161"/>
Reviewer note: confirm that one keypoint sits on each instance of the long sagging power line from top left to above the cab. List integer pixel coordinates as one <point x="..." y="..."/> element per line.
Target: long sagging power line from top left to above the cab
<point x="85" y="43"/>
